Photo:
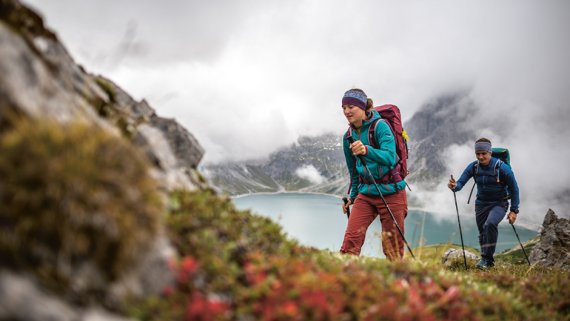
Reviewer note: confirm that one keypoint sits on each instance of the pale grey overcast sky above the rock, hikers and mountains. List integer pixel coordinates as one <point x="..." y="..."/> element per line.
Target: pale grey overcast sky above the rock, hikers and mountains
<point x="246" y="77"/>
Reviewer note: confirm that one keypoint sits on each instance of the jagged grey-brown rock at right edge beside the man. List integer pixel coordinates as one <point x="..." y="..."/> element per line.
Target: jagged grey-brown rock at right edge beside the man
<point x="553" y="249"/>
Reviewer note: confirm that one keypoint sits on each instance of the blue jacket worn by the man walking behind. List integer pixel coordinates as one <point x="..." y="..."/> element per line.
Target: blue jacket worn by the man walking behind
<point x="488" y="190"/>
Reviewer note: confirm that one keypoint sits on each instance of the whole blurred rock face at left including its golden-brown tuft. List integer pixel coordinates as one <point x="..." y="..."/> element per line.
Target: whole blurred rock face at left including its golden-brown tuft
<point x="81" y="163"/>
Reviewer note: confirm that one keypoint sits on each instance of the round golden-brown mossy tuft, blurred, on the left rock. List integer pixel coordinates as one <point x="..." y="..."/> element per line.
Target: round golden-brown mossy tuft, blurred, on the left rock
<point x="74" y="201"/>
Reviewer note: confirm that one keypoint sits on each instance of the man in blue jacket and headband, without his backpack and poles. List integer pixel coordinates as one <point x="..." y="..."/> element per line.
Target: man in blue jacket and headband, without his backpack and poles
<point x="496" y="183"/>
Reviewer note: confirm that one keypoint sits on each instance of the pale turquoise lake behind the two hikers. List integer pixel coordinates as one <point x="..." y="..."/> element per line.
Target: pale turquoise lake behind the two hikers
<point x="317" y="220"/>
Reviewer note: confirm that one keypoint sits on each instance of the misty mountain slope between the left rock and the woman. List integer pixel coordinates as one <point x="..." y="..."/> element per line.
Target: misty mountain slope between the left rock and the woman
<point x="312" y="164"/>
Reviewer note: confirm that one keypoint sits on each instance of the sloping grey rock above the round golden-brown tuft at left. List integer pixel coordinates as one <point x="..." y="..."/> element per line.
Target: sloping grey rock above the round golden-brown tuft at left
<point x="41" y="80"/>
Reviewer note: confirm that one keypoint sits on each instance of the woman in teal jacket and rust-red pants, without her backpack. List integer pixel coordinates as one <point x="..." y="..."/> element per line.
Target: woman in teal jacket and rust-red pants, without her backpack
<point x="363" y="195"/>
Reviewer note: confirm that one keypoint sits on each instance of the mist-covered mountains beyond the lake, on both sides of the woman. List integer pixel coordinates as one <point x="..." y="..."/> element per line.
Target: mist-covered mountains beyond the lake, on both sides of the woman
<point x="442" y="133"/>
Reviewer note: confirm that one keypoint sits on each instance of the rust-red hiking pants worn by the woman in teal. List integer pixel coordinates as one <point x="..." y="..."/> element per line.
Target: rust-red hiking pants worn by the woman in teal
<point x="364" y="212"/>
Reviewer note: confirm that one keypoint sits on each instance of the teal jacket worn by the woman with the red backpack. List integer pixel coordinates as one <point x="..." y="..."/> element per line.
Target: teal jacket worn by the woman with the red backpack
<point x="379" y="161"/>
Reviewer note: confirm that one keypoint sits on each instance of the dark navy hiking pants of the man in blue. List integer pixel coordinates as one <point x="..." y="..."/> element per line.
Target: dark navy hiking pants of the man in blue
<point x="488" y="217"/>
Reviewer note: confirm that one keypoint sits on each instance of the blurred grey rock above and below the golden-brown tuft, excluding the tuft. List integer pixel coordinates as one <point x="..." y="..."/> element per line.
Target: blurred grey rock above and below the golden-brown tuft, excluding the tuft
<point x="40" y="80"/>
